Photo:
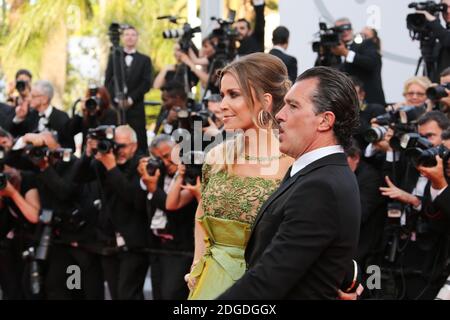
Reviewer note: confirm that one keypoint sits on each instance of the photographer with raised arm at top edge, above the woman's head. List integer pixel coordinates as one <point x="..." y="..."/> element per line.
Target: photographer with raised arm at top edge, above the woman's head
<point x="252" y="41"/>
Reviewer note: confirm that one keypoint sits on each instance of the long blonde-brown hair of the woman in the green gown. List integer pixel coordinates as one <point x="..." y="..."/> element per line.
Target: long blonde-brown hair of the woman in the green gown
<point x="256" y="75"/>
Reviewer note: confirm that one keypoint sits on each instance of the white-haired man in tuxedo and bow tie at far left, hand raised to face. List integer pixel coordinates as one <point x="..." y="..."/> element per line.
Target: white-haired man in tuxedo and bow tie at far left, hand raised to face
<point x="42" y="116"/>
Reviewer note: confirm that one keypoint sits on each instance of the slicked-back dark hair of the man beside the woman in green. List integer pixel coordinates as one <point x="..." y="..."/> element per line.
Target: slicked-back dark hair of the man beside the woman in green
<point x="336" y="93"/>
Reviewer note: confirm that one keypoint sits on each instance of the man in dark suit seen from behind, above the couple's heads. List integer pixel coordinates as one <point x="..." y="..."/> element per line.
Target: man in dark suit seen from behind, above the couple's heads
<point x="280" y="40"/>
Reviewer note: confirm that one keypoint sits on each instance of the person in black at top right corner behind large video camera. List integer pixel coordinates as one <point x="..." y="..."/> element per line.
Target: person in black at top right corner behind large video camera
<point x="442" y="60"/>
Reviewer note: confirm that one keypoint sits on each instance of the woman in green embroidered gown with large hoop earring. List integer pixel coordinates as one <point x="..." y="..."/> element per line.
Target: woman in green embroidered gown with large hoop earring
<point x="239" y="174"/>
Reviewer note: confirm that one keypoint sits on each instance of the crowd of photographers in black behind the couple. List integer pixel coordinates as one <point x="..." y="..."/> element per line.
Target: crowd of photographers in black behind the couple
<point x="118" y="207"/>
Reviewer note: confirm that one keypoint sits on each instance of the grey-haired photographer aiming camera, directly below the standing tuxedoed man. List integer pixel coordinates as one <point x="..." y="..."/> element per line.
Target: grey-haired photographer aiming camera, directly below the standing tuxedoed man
<point x="122" y="223"/>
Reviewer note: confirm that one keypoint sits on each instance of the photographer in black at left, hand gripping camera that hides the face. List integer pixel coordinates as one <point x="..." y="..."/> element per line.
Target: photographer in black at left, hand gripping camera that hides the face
<point x="72" y="227"/>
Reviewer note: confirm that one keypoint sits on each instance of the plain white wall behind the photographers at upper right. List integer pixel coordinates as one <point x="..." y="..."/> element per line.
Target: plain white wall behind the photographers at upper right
<point x="400" y="54"/>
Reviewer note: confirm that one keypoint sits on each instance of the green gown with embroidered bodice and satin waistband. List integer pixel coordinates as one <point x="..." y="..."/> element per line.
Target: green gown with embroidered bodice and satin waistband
<point x="230" y="206"/>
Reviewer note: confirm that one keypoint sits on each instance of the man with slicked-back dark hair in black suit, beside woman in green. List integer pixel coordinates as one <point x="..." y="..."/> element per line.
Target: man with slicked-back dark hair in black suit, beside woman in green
<point x="307" y="232"/>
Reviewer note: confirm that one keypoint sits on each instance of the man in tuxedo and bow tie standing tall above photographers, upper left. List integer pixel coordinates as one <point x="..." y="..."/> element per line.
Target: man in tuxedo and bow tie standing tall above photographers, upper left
<point x="137" y="80"/>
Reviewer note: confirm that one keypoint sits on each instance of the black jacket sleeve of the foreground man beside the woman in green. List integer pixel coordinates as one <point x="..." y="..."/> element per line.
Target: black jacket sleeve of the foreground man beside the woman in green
<point x="309" y="226"/>
